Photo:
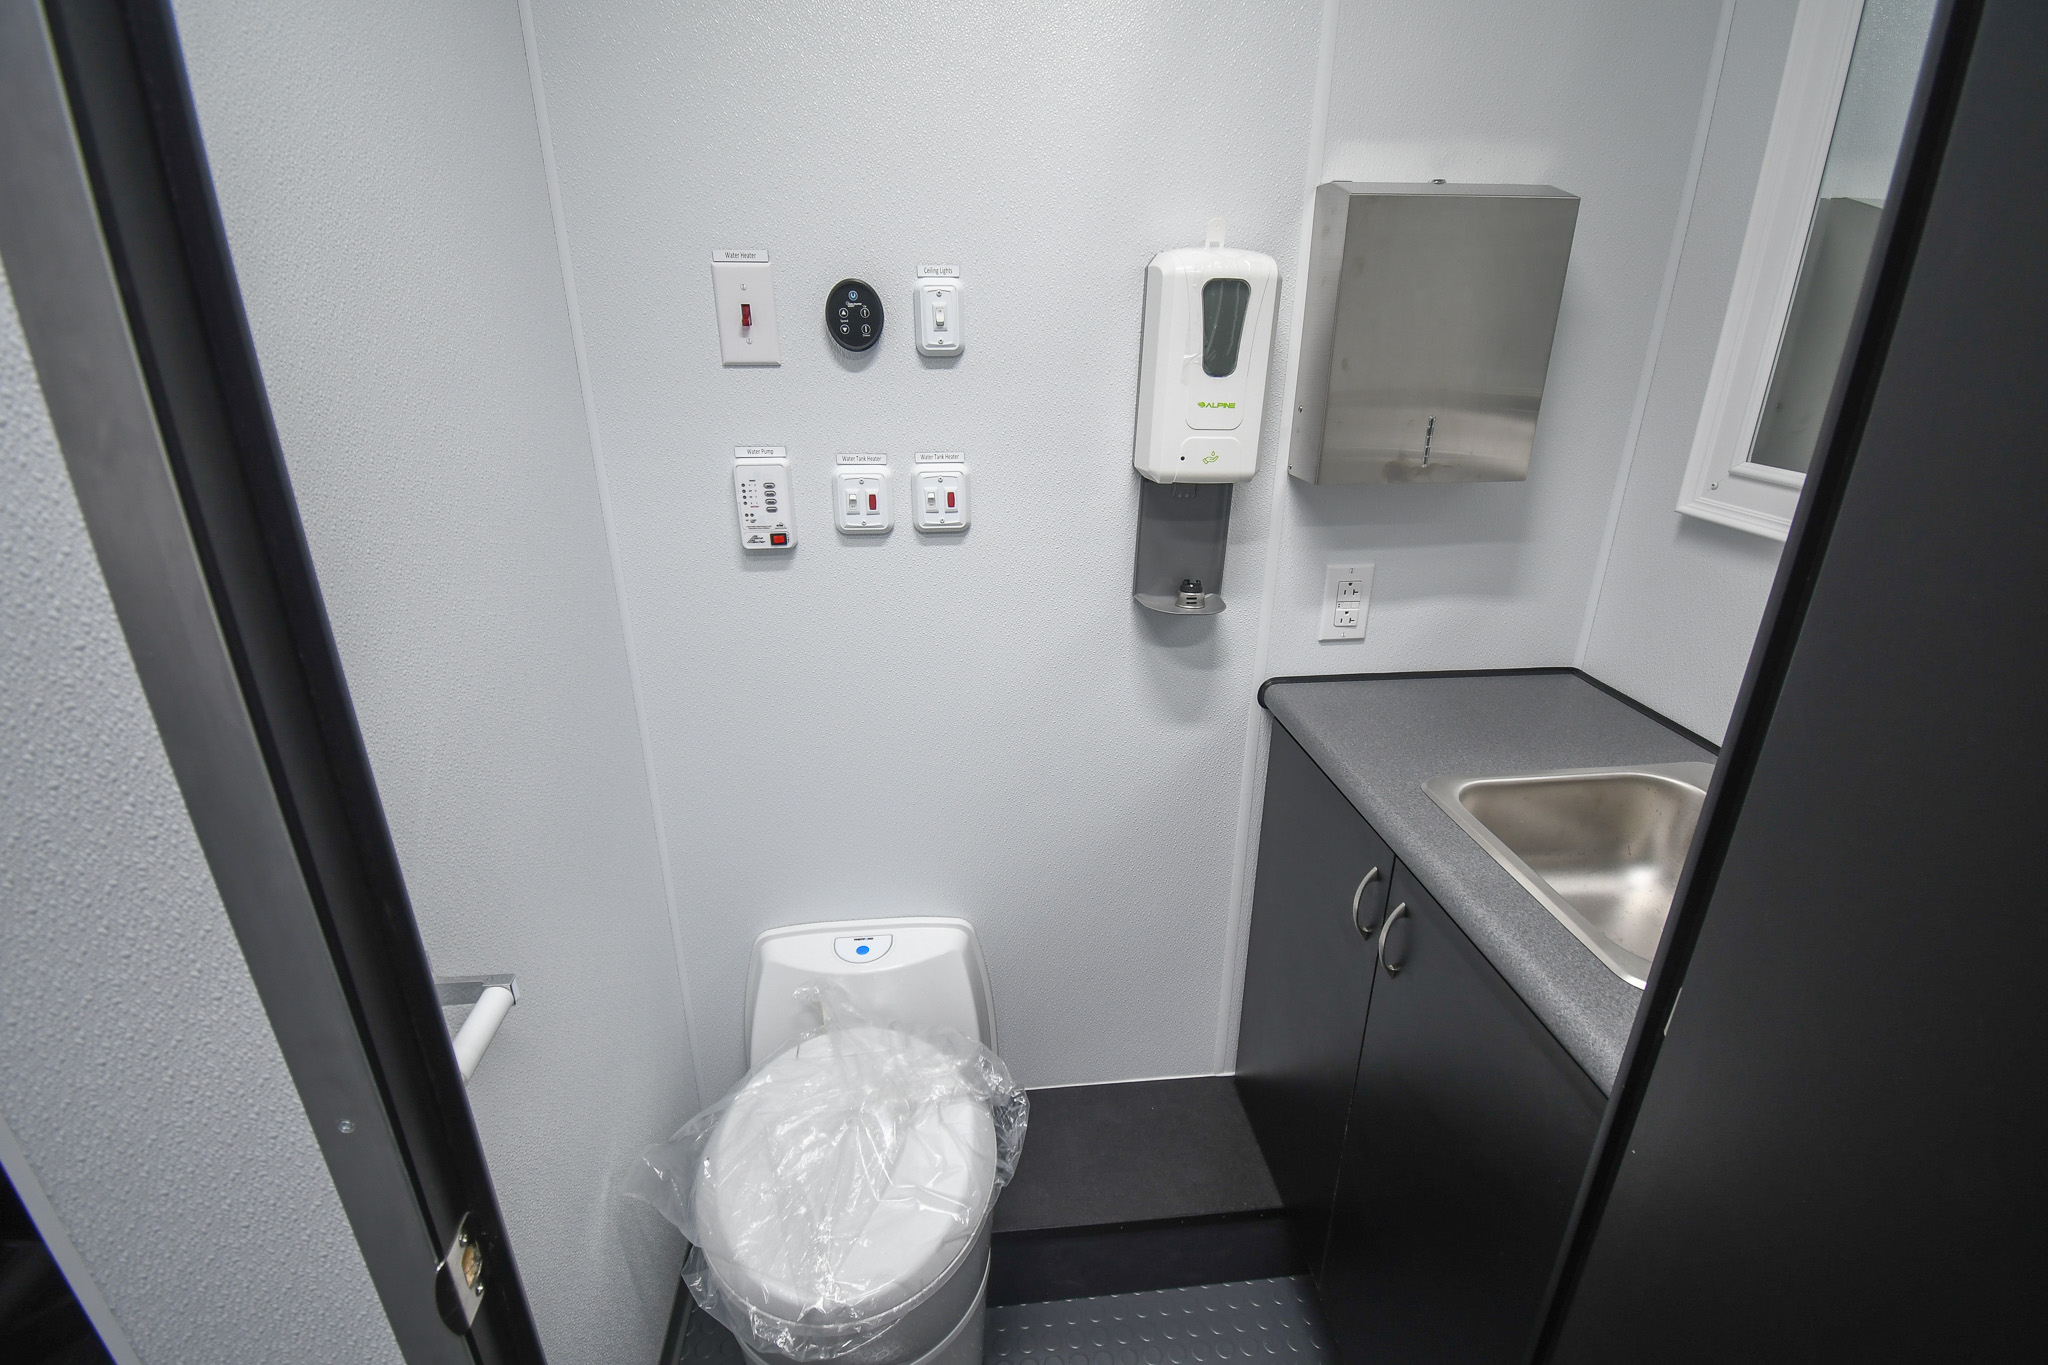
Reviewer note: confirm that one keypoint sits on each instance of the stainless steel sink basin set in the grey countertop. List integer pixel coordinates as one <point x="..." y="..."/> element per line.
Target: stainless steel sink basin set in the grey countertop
<point x="1598" y="846"/>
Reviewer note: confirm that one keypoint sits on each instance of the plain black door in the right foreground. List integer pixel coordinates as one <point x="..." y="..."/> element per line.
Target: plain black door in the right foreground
<point x="1830" y="1147"/>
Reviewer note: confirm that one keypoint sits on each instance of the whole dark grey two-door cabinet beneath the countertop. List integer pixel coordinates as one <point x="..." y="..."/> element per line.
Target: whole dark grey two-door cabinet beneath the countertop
<point x="1433" y="1196"/>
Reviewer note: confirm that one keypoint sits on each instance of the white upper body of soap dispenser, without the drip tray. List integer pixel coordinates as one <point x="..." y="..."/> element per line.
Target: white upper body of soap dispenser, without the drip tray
<point x="1209" y="322"/>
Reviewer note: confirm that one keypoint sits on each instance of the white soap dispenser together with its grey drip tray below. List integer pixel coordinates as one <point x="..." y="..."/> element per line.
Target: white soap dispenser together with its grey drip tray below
<point x="1209" y="324"/>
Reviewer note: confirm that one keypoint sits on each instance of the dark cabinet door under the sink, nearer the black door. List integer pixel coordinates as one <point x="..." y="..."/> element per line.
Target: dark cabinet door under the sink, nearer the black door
<point x="1467" y="1139"/>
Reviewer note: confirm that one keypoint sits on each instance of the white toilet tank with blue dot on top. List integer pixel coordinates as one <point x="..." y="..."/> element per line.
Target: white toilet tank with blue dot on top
<point x="925" y="973"/>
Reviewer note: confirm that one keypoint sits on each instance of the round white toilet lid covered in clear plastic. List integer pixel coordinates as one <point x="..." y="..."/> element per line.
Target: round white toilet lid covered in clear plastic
<point x="847" y="1176"/>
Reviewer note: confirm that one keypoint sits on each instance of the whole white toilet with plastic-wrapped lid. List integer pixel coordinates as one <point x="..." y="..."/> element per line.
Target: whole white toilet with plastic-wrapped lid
<point x="921" y="973"/>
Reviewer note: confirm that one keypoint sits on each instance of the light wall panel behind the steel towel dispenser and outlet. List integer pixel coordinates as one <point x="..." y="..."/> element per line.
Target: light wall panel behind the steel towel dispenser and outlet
<point x="1596" y="97"/>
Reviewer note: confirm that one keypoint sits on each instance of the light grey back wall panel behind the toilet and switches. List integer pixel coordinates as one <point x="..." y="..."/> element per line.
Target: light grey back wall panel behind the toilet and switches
<point x="980" y="725"/>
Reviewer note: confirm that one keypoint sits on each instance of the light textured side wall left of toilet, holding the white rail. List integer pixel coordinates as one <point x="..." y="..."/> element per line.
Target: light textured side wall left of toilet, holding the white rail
<point x="384" y="189"/>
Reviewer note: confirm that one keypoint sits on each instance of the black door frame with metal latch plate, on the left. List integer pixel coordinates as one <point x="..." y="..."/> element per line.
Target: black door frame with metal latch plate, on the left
<point x="126" y="292"/>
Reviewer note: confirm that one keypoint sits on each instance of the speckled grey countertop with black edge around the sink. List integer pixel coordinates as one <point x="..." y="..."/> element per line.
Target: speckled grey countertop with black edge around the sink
<point x="1381" y="738"/>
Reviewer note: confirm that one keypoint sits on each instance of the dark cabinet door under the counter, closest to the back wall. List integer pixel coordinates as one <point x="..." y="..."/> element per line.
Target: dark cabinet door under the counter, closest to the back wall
<point x="1308" y="981"/>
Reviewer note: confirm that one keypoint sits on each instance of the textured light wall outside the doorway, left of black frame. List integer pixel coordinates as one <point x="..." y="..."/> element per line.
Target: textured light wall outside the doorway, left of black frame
<point x="144" y="1104"/>
